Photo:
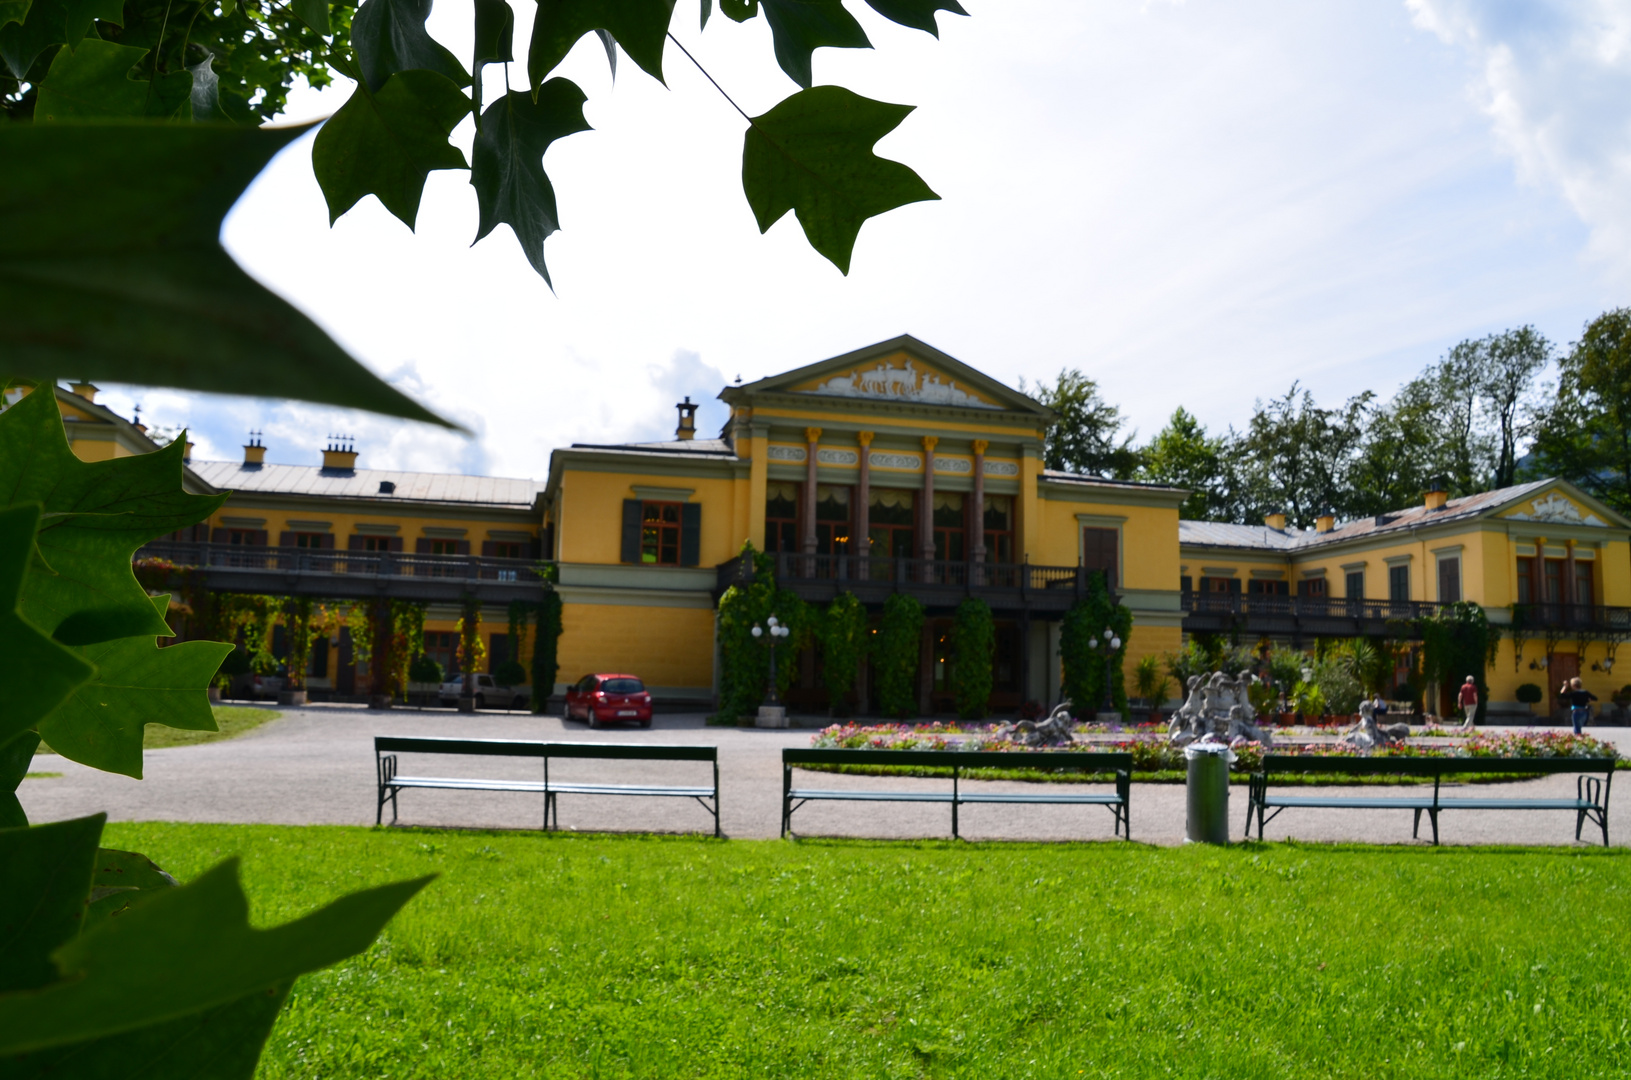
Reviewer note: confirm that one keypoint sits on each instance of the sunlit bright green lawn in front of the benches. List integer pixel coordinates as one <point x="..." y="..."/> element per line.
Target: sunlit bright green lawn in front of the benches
<point x="635" y="957"/>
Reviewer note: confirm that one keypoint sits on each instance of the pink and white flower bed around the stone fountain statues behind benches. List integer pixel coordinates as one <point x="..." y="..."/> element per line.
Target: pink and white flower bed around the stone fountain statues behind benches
<point x="1160" y="761"/>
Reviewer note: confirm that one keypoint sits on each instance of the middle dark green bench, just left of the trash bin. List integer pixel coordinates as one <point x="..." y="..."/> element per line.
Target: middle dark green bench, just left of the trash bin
<point x="958" y="795"/>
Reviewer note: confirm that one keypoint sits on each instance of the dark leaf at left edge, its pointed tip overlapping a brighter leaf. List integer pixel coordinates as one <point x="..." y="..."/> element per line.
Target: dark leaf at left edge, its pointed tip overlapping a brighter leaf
<point x="53" y="671"/>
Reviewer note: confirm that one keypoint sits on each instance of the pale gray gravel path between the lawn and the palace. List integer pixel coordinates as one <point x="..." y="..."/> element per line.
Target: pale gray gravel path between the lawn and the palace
<point x="316" y="766"/>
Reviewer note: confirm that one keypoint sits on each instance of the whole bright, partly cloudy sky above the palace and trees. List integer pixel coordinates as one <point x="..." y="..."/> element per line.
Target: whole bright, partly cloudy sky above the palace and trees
<point x="1195" y="203"/>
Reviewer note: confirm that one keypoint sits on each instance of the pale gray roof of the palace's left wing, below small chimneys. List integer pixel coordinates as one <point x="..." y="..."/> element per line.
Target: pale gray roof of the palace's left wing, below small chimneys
<point x="365" y="484"/>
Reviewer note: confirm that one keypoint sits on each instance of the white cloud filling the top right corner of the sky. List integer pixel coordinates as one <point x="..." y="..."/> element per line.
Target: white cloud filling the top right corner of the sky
<point x="1555" y="81"/>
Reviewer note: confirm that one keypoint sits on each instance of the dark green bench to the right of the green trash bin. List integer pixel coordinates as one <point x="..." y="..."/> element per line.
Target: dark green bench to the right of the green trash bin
<point x="1591" y="802"/>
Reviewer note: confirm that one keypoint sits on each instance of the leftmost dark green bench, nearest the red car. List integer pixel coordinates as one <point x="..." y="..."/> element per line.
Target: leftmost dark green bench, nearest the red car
<point x="392" y="782"/>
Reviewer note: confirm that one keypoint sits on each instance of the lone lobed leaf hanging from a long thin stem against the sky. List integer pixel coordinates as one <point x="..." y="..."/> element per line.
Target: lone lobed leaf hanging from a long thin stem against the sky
<point x="813" y="154"/>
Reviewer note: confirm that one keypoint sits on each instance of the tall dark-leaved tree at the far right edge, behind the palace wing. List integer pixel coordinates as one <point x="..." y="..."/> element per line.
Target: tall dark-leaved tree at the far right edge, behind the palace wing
<point x="1585" y="435"/>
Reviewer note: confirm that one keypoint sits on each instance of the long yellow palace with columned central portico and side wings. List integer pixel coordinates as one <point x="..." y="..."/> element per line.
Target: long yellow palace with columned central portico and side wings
<point x="890" y="469"/>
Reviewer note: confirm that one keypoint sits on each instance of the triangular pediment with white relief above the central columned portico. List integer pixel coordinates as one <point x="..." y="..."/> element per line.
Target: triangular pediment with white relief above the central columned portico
<point x="901" y="371"/>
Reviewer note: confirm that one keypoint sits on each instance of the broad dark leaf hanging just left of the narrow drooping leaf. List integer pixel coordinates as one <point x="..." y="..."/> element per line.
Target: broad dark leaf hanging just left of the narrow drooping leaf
<point x="386" y="144"/>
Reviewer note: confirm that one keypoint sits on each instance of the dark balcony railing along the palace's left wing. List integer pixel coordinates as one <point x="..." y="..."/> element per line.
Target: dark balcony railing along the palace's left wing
<point x="343" y="564"/>
